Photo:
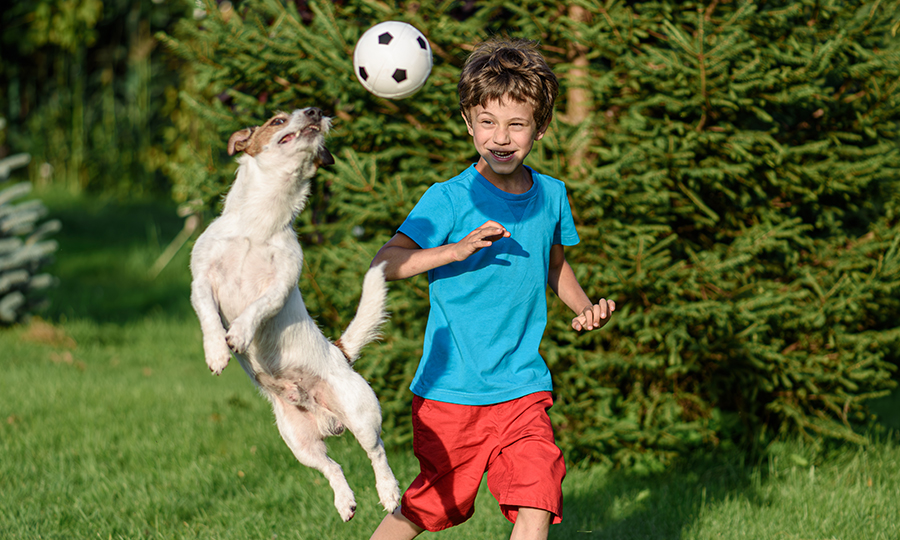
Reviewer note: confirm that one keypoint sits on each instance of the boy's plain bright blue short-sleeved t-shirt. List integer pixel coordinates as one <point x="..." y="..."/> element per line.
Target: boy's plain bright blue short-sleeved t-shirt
<point x="488" y="312"/>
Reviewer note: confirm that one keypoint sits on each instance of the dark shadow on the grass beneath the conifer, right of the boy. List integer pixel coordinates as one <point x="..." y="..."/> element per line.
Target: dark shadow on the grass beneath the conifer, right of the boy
<point x="619" y="505"/>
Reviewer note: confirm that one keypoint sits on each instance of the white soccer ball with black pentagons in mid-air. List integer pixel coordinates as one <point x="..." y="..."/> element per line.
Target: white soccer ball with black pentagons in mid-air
<point x="392" y="60"/>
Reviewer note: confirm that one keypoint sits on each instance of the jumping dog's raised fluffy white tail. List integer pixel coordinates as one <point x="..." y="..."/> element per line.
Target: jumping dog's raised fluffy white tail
<point x="370" y="315"/>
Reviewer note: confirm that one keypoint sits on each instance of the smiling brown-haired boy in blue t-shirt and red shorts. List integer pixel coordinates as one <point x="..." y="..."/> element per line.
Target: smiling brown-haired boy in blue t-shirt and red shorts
<point x="491" y="239"/>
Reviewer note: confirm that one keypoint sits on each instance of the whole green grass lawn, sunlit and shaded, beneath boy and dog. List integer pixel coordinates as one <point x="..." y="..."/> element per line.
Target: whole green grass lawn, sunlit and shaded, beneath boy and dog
<point x="112" y="427"/>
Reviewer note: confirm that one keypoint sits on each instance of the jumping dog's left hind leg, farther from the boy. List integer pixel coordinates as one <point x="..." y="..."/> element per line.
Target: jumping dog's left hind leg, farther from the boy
<point x="301" y="433"/>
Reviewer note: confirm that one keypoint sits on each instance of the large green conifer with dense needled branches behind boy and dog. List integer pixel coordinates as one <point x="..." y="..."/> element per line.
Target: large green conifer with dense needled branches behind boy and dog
<point x="733" y="170"/>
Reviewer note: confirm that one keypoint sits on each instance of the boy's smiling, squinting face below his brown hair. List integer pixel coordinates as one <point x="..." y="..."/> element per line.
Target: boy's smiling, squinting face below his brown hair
<point x="504" y="133"/>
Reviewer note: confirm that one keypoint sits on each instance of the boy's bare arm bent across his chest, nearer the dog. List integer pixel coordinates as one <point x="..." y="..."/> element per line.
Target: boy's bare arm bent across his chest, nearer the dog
<point x="405" y="258"/>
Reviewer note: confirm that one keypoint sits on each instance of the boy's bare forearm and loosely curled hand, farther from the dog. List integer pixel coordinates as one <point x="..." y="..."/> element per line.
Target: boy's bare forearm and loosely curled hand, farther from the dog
<point x="562" y="280"/>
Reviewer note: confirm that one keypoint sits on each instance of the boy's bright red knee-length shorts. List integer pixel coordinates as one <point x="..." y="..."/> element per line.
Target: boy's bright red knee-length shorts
<point x="456" y="444"/>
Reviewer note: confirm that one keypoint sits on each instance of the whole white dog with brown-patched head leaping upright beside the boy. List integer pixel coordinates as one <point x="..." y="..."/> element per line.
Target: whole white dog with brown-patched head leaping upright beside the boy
<point x="245" y="269"/>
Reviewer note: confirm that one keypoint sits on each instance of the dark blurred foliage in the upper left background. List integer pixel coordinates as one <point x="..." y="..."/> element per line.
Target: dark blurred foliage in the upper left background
<point x="84" y="88"/>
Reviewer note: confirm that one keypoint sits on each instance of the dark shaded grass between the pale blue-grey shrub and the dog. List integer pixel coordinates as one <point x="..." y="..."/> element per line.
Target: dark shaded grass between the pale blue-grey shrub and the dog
<point x="106" y="249"/>
